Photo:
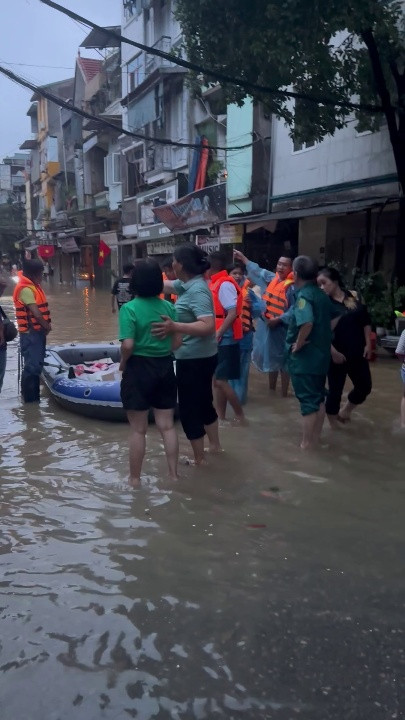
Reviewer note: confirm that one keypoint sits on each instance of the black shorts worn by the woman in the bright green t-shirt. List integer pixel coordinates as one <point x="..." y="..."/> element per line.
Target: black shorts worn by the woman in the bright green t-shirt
<point x="149" y="383"/>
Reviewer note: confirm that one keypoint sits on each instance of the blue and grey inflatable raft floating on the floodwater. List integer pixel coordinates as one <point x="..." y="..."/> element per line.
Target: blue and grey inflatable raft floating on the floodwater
<point x="83" y="394"/>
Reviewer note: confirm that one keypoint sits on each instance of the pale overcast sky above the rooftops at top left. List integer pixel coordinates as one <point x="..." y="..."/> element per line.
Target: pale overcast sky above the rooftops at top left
<point x="34" y="34"/>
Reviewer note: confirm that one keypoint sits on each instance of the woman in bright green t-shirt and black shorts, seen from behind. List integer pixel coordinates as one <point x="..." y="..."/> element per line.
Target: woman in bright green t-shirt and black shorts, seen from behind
<point x="148" y="379"/>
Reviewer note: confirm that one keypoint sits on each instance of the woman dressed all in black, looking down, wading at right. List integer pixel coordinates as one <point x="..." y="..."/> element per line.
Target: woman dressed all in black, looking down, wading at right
<point x="351" y="349"/>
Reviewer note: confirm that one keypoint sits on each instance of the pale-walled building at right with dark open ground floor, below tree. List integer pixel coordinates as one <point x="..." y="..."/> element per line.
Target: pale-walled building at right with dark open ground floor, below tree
<point x="344" y="193"/>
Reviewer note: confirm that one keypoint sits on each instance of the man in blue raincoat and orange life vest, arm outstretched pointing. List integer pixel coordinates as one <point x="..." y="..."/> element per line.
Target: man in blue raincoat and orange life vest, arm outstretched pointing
<point x="268" y="353"/>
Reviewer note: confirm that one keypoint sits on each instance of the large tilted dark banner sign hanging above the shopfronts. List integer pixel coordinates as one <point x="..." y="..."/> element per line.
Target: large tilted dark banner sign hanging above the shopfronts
<point x="198" y="209"/>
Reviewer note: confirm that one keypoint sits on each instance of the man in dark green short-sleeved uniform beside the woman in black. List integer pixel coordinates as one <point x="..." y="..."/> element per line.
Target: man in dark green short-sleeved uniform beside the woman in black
<point x="308" y="341"/>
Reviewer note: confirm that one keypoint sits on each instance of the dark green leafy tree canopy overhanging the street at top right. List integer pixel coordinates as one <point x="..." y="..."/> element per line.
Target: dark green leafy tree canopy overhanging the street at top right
<point x="315" y="47"/>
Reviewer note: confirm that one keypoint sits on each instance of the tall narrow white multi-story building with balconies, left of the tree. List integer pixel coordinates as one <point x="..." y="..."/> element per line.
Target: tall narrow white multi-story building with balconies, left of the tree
<point x="156" y="104"/>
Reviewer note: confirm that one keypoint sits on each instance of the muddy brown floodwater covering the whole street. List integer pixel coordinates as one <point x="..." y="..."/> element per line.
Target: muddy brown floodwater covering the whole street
<point x="208" y="599"/>
